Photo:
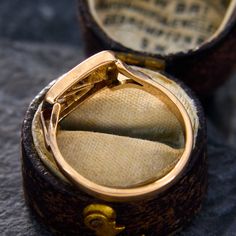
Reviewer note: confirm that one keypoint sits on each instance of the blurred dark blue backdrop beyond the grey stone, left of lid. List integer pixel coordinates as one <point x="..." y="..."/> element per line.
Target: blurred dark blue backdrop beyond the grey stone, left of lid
<point x="39" y="21"/>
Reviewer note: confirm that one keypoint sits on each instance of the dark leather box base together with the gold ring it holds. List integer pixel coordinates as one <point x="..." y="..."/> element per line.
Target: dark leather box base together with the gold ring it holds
<point x="114" y="149"/>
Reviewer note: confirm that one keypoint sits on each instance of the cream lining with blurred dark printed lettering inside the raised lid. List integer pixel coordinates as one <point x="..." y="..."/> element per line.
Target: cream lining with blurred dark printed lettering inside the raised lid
<point x="161" y="26"/>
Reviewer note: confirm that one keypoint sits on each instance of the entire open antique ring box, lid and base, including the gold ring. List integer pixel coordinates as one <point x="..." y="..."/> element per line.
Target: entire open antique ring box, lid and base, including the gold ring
<point x="130" y="138"/>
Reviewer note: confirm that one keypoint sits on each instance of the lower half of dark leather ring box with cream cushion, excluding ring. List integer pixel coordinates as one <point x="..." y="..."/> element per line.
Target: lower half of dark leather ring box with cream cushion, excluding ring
<point x="62" y="206"/>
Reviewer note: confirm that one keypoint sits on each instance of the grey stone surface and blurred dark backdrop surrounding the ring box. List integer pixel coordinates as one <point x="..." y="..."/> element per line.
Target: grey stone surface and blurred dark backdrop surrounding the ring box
<point x="39" y="40"/>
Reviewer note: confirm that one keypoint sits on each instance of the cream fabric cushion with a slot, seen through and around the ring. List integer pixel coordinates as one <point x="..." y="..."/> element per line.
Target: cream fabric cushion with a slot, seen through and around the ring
<point x="123" y="138"/>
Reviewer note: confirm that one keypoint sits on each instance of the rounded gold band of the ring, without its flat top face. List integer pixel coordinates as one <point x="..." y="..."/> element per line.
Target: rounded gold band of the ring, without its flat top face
<point x="130" y="78"/>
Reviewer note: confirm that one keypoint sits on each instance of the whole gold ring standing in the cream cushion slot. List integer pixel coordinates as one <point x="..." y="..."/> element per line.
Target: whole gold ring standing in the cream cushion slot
<point x="100" y="71"/>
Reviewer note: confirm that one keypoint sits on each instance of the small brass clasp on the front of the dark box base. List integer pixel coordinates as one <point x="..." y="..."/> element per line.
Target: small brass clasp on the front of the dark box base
<point x="101" y="219"/>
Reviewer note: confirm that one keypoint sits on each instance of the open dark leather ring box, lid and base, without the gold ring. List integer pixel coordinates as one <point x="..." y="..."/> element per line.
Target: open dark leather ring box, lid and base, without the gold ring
<point x="127" y="137"/>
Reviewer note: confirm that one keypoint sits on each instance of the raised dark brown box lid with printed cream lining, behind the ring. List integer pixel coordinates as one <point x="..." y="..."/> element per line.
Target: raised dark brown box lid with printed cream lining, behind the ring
<point x="192" y="40"/>
